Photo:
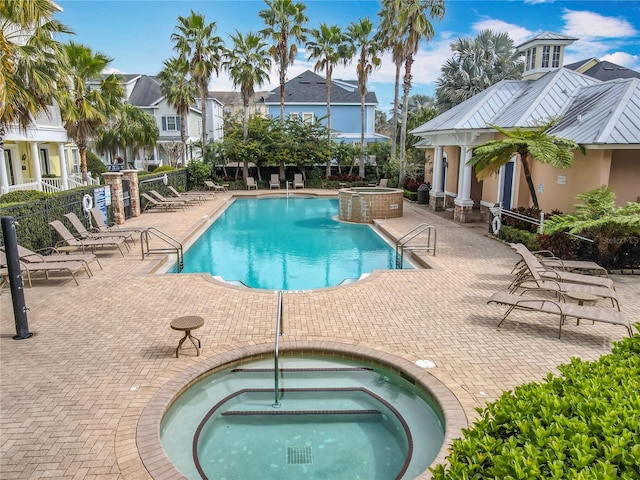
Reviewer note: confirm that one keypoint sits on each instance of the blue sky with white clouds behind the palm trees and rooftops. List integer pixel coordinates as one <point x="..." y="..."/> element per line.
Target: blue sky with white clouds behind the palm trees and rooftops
<point x="136" y="34"/>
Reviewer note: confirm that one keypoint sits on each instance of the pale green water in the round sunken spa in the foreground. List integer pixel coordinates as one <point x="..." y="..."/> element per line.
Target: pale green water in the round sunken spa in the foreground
<point x="337" y="419"/>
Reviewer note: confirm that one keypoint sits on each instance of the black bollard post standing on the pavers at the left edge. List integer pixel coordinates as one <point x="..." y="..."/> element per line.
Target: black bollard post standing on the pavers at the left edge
<point x="15" y="278"/>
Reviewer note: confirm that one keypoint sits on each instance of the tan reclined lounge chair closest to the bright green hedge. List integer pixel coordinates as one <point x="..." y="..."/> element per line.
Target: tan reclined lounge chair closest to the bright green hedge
<point x="558" y="306"/>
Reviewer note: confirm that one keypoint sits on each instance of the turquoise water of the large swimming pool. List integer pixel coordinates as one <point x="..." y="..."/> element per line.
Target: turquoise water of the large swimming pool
<point x="287" y="244"/>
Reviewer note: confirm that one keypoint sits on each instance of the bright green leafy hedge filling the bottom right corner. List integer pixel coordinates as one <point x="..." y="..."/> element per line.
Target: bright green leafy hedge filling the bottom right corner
<point x="584" y="424"/>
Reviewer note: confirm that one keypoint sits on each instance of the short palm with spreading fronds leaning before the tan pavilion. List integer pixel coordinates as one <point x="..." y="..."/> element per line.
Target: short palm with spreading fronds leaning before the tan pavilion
<point x="527" y="144"/>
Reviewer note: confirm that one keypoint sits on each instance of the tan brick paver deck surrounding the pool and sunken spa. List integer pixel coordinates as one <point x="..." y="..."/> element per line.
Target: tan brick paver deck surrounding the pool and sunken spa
<point x="71" y="395"/>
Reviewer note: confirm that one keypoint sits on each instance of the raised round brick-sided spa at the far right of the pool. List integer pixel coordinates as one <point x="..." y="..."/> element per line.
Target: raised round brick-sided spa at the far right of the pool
<point x="363" y="204"/>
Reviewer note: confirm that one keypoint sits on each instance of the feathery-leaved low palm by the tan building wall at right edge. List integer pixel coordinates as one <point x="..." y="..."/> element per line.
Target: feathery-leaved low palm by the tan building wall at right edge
<point x="598" y="217"/>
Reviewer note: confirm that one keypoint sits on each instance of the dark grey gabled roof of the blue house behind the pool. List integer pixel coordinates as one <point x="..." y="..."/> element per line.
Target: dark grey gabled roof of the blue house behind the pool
<point x="311" y="88"/>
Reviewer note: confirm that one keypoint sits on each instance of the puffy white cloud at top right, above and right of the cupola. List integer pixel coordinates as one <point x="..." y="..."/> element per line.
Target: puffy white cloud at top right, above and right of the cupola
<point x="589" y="25"/>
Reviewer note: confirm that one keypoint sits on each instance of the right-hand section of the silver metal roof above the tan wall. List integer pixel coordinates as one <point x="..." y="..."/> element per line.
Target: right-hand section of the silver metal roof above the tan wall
<point x="604" y="113"/>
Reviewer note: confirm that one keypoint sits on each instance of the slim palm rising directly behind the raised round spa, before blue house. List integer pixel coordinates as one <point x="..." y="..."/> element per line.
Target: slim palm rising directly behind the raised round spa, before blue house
<point x="363" y="44"/>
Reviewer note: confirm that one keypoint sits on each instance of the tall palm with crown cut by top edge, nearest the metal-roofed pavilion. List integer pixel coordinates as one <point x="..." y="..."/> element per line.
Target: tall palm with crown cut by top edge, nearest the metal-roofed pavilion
<point x="414" y="21"/>
